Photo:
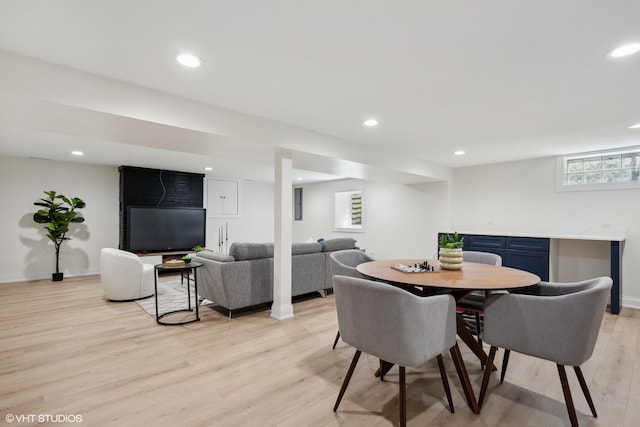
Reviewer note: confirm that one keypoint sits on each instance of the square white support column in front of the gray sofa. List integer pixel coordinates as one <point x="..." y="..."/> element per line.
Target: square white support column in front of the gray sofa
<point x="282" y="307"/>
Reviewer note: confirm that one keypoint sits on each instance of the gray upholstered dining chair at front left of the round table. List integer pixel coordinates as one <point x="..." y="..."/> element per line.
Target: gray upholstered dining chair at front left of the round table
<point x="395" y="326"/>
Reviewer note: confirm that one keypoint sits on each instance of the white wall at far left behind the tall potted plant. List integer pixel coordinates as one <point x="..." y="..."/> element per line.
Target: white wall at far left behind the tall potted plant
<point x="26" y="252"/>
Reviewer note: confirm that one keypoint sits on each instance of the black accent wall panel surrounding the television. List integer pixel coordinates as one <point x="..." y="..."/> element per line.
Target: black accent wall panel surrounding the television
<point x="158" y="188"/>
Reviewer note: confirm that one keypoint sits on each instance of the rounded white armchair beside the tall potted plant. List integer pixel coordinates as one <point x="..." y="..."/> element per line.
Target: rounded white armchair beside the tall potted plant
<point x="124" y="276"/>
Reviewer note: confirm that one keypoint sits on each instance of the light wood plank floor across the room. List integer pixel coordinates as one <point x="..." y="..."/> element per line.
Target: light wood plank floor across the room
<point x="65" y="350"/>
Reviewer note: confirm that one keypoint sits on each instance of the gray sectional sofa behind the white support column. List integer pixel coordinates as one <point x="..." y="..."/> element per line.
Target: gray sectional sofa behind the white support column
<point x="244" y="278"/>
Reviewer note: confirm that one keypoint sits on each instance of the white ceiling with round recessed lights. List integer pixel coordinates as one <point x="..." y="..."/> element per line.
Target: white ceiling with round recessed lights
<point x="502" y="80"/>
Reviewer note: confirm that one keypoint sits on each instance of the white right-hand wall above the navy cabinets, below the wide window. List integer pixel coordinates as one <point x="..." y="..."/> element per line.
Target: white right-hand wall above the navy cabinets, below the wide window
<point x="521" y="196"/>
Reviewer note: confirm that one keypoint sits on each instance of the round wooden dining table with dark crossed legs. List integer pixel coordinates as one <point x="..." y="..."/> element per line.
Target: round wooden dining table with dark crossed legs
<point x="471" y="277"/>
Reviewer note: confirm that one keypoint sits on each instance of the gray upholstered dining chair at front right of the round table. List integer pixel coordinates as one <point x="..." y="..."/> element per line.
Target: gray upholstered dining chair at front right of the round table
<point x="561" y="324"/>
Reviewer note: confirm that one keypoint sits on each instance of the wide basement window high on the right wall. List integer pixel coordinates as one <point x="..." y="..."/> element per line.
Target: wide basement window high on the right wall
<point x="599" y="170"/>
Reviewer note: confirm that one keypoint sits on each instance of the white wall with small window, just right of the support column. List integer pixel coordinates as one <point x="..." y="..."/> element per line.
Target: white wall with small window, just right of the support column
<point x="400" y="221"/>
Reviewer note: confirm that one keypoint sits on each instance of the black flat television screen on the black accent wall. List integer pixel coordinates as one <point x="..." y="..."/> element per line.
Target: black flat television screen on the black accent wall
<point x="165" y="229"/>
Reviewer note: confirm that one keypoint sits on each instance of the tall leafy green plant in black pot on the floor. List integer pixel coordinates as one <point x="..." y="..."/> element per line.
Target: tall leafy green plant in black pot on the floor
<point x="58" y="212"/>
